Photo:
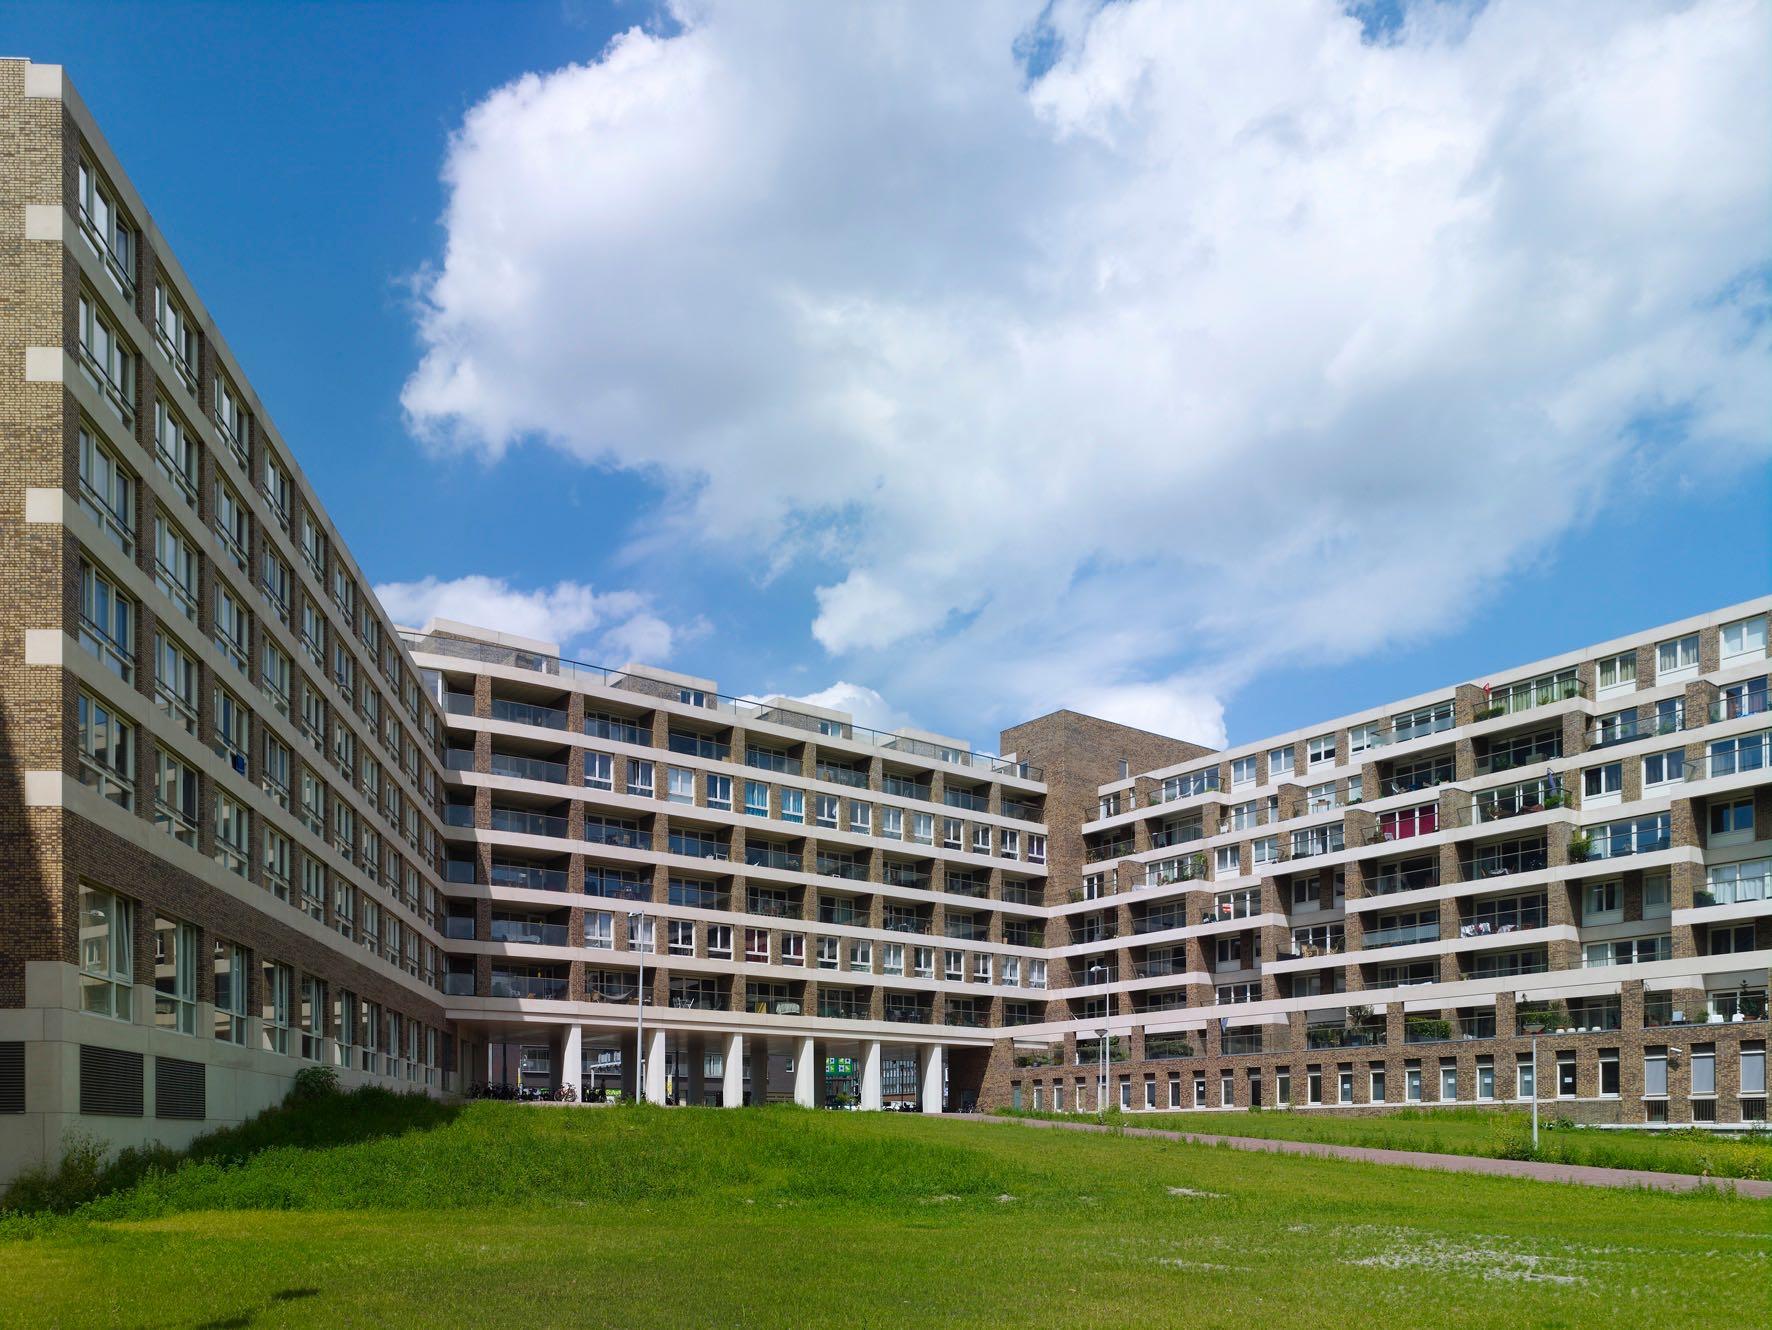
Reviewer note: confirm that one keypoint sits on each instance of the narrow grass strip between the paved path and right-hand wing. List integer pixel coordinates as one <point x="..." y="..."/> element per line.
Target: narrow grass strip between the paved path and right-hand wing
<point x="1489" y="1133"/>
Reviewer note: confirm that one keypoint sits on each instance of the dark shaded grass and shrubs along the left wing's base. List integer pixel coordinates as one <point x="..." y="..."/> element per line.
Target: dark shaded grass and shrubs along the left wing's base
<point x="316" y="1122"/>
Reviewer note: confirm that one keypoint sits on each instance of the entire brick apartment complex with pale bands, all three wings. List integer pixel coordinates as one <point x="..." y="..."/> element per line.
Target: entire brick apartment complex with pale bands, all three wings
<point x="253" y="826"/>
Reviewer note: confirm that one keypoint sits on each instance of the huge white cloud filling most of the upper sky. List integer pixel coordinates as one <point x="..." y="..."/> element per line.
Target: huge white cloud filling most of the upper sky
<point x="1227" y="339"/>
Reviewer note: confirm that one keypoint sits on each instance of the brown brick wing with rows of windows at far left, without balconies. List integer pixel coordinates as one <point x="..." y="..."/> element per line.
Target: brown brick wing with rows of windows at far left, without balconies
<point x="219" y="830"/>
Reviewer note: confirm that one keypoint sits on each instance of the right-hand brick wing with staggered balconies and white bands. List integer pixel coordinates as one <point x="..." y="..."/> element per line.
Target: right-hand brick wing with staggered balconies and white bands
<point x="1385" y="908"/>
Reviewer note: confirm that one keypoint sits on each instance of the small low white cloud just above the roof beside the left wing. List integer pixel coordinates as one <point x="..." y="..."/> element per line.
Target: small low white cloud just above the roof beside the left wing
<point x="621" y="624"/>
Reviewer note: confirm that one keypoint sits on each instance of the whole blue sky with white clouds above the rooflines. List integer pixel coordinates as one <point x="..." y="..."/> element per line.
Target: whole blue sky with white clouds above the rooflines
<point x="1216" y="369"/>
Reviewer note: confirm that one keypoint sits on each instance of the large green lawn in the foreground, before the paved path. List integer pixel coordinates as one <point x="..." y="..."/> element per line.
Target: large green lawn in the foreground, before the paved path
<point x="520" y="1216"/>
